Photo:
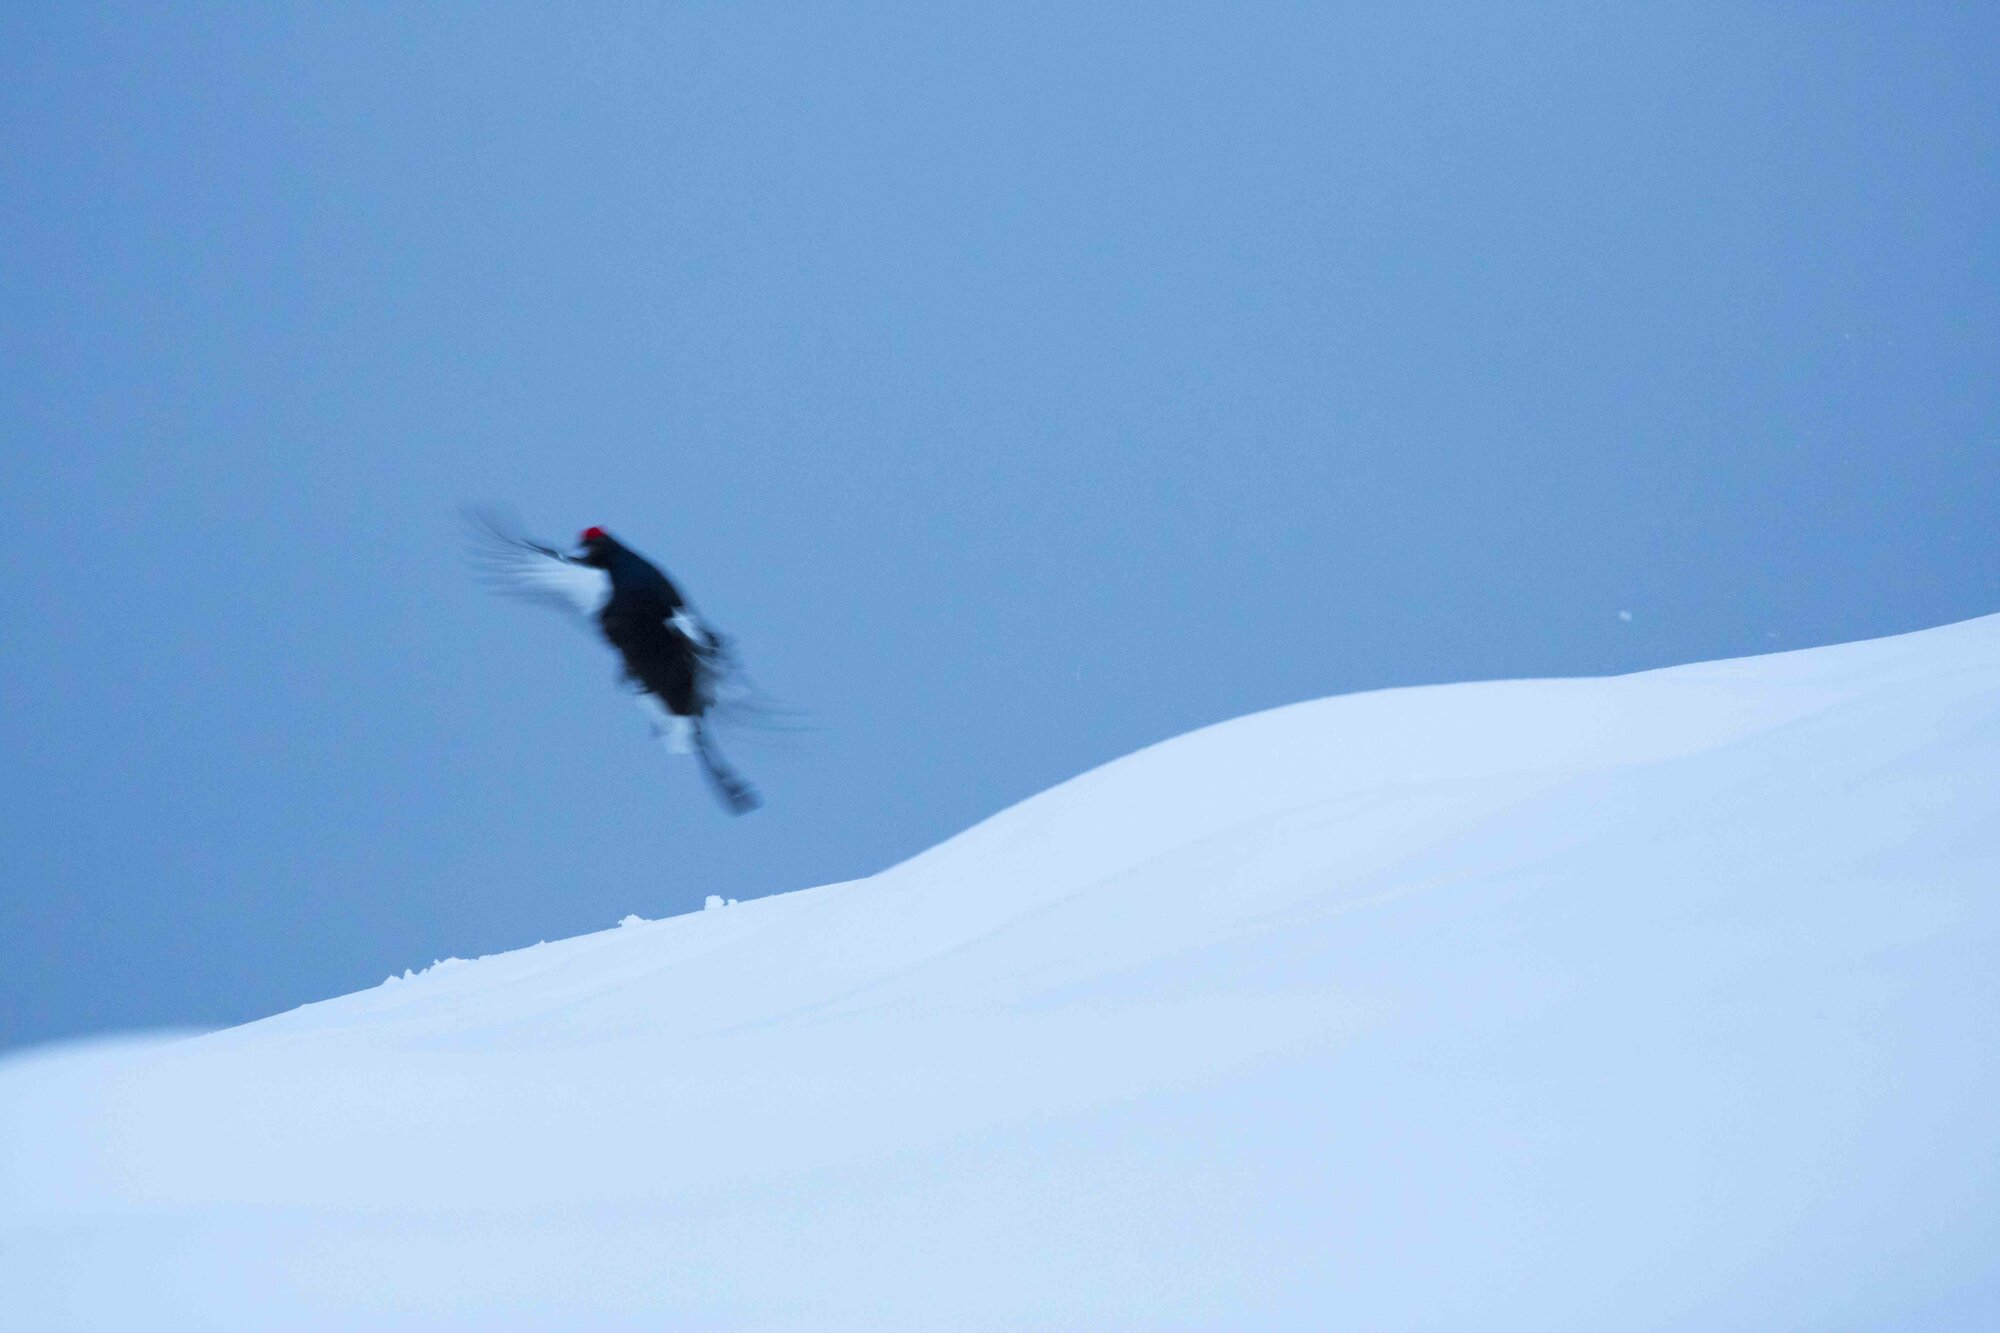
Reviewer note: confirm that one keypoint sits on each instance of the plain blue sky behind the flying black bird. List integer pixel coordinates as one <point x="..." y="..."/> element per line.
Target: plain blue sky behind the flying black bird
<point x="1019" y="387"/>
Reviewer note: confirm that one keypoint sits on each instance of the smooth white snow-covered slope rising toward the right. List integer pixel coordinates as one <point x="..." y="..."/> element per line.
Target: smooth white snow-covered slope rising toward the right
<point x="1663" y="1002"/>
